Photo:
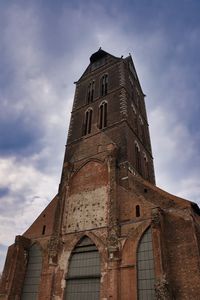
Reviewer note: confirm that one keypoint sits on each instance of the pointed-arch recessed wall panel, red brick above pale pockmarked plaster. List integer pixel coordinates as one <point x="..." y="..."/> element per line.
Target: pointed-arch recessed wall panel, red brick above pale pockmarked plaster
<point x="86" y="203"/>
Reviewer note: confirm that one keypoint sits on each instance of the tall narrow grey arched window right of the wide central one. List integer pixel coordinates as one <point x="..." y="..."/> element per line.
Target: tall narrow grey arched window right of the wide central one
<point x="145" y="267"/>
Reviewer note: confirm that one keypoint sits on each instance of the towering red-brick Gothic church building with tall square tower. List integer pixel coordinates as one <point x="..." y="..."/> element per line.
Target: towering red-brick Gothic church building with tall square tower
<point x="110" y="232"/>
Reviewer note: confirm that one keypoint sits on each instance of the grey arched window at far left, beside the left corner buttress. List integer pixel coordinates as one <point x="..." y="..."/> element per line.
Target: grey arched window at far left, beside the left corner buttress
<point x="33" y="273"/>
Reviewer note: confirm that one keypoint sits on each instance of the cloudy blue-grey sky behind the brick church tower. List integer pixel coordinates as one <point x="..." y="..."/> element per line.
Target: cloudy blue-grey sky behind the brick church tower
<point x="45" y="46"/>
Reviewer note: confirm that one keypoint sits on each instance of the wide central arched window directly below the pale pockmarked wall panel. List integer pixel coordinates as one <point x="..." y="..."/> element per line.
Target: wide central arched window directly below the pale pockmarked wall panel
<point x="83" y="278"/>
